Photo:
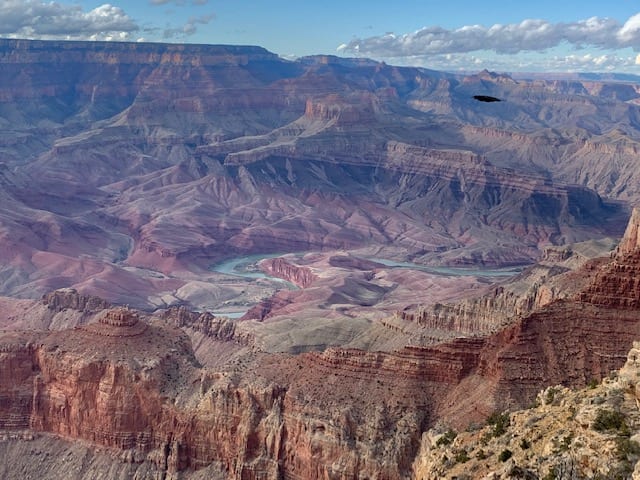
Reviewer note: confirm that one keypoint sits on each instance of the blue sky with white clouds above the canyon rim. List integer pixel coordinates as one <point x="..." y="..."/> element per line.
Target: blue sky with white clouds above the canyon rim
<point x="452" y="35"/>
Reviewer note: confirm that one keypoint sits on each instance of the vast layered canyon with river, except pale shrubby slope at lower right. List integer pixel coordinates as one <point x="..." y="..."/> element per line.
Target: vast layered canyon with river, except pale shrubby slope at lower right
<point x="397" y="256"/>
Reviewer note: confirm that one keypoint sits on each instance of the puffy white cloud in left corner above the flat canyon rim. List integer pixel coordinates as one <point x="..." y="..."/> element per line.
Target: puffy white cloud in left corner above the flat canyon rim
<point x="53" y="20"/>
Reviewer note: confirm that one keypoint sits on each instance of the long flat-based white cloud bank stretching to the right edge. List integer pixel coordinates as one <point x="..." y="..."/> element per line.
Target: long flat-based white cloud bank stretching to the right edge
<point x="530" y="35"/>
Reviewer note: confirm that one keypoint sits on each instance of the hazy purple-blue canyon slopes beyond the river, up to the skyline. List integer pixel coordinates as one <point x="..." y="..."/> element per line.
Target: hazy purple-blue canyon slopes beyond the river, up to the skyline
<point x="127" y="170"/>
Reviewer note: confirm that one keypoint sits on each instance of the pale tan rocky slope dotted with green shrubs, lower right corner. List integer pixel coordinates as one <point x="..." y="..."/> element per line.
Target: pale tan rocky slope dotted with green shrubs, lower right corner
<point x="592" y="432"/>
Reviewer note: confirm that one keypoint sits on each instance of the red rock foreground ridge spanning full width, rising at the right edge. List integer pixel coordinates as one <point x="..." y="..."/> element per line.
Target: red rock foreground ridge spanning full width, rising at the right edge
<point x="131" y="389"/>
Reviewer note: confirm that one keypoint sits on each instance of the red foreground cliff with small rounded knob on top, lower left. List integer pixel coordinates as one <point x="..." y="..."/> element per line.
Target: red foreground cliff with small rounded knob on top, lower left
<point x="143" y="393"/>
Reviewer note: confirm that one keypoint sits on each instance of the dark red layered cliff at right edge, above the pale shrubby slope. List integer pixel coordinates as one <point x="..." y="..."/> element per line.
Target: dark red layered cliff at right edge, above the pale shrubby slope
<point x="569" y="341"/>
